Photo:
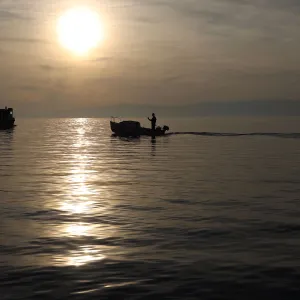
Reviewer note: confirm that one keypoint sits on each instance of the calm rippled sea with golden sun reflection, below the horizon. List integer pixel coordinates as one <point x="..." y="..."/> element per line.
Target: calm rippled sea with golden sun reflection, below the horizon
<point x="212" y="214"/>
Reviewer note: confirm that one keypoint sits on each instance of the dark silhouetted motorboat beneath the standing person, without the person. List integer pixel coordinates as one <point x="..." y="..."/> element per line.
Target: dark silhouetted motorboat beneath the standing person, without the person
<point x="134" y="129"/>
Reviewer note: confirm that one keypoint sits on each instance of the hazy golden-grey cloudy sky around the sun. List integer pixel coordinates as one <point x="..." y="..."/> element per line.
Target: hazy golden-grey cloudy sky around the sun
<point x="169" y="53"/>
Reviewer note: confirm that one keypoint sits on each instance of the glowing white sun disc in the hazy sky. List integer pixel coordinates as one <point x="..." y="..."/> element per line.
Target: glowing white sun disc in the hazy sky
<point x="80" y="30"/>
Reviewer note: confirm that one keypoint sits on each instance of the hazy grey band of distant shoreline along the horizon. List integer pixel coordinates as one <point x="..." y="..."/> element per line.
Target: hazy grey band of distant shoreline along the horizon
<point x="247" y="108"/>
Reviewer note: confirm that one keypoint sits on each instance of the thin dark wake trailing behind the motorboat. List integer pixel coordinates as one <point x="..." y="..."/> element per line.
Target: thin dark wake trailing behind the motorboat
<point x="222" y="134"/>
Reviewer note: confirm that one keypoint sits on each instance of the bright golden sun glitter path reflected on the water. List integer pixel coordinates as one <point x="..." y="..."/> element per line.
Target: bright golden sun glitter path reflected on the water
<point x="78" y="202"/>
